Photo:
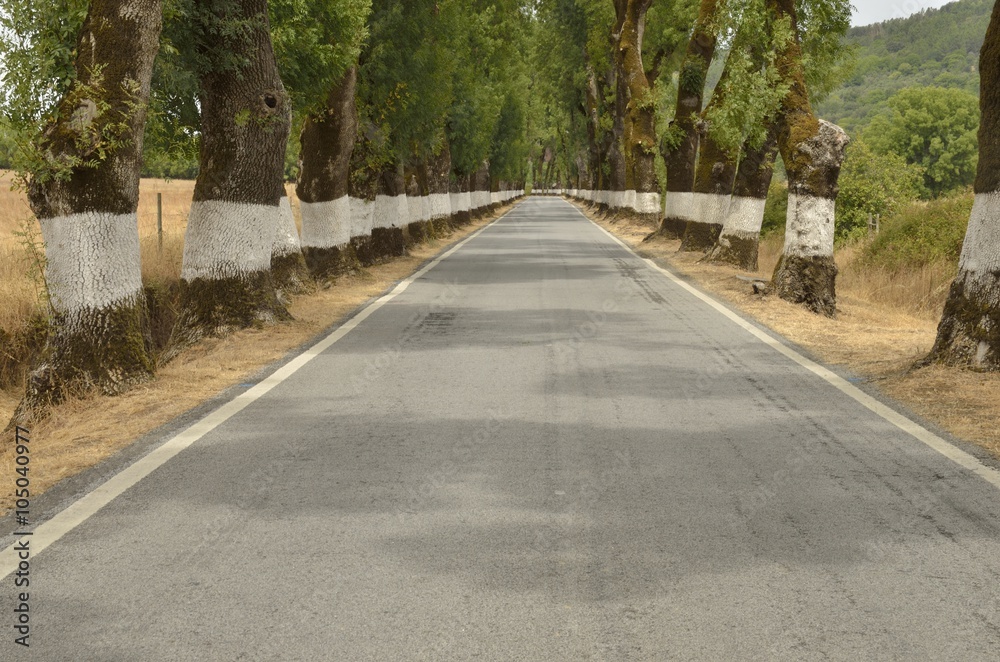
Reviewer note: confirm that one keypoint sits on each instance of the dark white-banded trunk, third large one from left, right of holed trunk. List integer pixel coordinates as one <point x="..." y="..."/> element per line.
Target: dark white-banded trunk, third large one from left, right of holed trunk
<point x="328" y="138"/>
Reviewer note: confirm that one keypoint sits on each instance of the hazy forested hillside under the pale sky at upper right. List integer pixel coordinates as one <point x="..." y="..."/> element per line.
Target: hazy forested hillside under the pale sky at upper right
<point x="937" y="47"/>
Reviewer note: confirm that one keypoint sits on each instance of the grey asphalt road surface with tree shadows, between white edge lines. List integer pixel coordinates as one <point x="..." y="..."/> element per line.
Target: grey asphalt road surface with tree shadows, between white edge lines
<point x="542" y="449"/>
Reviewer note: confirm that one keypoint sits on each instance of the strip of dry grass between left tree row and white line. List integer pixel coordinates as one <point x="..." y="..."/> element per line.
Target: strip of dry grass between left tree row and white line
<point x="80" y="433"/>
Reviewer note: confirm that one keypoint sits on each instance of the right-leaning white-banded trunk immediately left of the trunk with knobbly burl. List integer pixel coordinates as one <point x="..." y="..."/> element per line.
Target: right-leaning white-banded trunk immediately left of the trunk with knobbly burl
<point x="739" y="240"/>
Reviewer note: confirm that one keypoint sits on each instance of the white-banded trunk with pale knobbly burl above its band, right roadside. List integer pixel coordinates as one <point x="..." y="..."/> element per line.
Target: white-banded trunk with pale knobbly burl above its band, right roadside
<point x="813" y="151"/>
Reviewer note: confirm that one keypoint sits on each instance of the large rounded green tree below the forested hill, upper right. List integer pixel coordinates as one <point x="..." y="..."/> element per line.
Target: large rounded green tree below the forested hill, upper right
<point x="934" y="128"/>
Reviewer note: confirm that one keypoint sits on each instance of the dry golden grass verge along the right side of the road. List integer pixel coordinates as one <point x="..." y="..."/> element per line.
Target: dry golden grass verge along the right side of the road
<point x="886" y="321"/>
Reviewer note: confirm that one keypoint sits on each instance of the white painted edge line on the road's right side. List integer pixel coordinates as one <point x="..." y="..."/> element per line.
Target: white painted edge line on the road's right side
<point x="956" y="455"/>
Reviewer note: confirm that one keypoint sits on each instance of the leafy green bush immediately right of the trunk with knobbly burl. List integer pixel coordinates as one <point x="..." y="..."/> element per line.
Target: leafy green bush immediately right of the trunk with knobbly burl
<point x="873" y="184"/>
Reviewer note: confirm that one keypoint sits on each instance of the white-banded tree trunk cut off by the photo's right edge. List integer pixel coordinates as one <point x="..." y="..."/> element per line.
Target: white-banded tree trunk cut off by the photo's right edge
<point x="969" y="332"/>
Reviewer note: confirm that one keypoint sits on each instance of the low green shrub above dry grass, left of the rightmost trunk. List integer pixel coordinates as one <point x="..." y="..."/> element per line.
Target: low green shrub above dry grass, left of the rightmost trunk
<point x="922" y="233"/>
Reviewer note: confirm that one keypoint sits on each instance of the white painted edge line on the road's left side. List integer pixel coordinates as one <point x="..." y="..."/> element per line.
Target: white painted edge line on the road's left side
<point x="84" y="507"/>
